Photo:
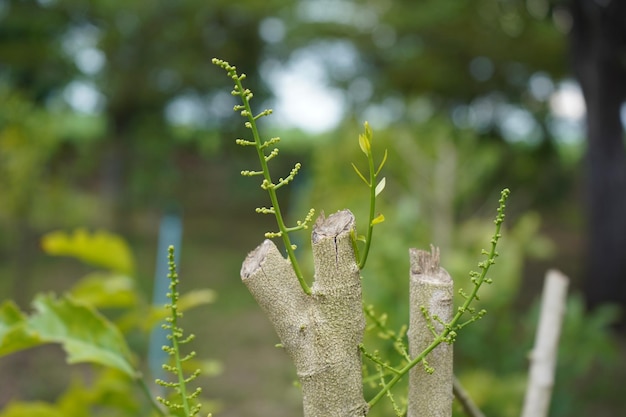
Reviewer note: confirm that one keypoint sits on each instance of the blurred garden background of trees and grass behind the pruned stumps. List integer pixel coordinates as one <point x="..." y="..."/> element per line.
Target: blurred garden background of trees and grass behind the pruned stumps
<point x="112" y="115"/>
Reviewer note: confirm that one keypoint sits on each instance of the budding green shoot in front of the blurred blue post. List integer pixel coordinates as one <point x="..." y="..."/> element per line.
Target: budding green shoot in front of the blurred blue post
<point x="186" y="402"/>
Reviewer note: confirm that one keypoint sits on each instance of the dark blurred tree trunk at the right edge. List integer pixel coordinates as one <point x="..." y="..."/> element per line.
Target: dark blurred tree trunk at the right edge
<point x="598" y="42"/>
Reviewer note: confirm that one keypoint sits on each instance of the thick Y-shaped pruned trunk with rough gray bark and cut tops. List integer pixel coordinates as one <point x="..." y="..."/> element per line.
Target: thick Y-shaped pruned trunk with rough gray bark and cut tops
<point x="320" y="332"/>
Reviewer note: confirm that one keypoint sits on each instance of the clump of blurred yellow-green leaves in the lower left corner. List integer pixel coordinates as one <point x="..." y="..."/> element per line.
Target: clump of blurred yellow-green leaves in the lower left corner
<point x="87" y="335"/>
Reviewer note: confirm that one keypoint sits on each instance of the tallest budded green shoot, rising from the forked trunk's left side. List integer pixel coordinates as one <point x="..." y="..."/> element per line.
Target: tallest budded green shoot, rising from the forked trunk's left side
<point x="267" y="184"/>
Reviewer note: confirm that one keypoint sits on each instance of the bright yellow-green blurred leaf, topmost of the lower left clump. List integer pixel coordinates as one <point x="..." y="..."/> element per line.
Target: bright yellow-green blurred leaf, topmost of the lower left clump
<point x="101" y="249"/>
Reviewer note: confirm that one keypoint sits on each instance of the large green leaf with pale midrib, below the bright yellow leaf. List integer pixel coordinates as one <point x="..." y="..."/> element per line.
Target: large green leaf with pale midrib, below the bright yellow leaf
<point x="86" y="335"/>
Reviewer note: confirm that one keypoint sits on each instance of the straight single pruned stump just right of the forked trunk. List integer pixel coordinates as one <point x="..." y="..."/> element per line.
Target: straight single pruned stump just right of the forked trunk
<point x="431" y="287"/>
